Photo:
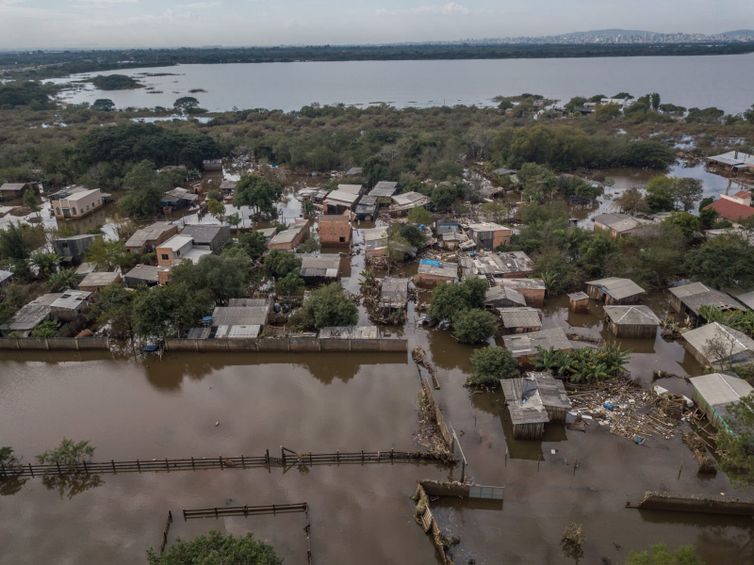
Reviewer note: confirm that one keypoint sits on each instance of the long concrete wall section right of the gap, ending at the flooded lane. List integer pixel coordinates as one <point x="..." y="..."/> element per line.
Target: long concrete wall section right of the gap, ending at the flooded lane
<point x="293" y="344"/>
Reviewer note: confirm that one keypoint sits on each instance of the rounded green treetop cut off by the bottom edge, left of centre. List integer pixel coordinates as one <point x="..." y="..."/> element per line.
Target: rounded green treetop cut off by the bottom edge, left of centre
<point x="215" y="548"/>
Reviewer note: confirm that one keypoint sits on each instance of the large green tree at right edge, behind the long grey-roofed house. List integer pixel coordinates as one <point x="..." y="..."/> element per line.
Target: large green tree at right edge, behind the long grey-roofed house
<point x="725" y="261"/>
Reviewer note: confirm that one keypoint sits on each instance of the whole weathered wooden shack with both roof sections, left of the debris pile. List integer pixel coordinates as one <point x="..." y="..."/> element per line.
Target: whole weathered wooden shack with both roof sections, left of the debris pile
<point x="533" y="401"/>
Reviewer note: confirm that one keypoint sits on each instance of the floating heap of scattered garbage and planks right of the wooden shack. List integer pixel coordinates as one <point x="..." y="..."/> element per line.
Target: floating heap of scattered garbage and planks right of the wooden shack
<point x="625" y="409"/>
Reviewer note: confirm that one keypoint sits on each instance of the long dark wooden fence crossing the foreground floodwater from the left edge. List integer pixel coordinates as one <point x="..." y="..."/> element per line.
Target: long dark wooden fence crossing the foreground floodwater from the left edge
<point x="287" y="459"/>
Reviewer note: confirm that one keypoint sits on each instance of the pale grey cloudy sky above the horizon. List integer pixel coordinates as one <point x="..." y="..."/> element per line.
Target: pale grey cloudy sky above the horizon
<point x="157" y="23"/>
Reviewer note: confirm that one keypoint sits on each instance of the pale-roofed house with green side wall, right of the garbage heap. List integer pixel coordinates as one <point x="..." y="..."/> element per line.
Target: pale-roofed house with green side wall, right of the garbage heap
<point x="715" y="393"/>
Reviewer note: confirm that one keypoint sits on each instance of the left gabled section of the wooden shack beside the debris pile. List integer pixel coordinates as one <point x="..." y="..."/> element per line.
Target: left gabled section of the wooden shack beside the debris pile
<point x="528" y="413"/>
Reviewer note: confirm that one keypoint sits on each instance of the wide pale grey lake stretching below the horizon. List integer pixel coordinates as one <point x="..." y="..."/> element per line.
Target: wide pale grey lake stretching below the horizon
<point x="701" y="81"/>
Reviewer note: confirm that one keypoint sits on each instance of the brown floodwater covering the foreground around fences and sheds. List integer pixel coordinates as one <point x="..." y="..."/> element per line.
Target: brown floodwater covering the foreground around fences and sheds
<point x="321" y="402"/>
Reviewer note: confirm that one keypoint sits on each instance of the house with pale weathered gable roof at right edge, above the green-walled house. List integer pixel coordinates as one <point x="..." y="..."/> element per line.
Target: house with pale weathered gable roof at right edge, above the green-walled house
<point x="717" y="345"/>
